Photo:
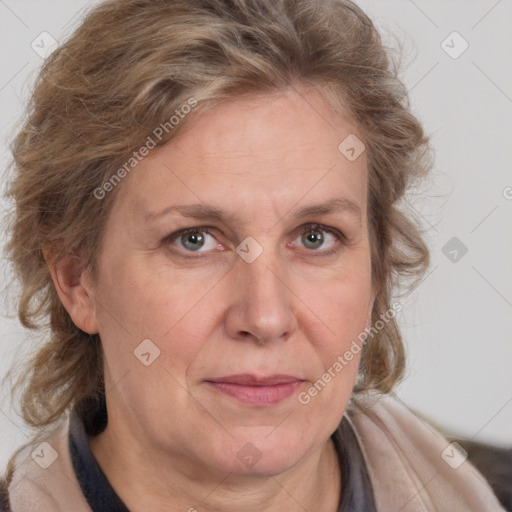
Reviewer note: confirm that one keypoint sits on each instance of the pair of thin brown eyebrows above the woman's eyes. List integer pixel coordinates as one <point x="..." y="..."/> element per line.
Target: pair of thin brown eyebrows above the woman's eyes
<point x="208" y="212"/>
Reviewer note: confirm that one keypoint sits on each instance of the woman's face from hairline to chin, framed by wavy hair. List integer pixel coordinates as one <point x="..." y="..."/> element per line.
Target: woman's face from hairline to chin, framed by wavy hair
<point x="272" y="278"/>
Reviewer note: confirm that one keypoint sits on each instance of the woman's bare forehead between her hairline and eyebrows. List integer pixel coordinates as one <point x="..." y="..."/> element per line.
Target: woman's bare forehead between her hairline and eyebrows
<point x="258" y="152"/>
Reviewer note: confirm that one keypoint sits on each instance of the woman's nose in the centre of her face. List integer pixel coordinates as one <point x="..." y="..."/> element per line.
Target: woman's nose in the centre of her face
<point x="260" y="303"/>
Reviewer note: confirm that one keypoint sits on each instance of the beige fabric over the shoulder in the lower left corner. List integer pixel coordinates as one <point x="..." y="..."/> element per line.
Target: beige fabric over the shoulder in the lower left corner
<point x="42" y="477"/>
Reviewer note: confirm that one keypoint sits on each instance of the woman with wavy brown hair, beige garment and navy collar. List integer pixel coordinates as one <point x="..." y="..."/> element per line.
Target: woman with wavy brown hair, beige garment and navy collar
<point x="206" y="212"/>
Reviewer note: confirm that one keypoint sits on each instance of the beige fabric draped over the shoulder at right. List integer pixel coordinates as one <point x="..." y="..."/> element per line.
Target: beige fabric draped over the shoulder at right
<point x="411" y="465"/>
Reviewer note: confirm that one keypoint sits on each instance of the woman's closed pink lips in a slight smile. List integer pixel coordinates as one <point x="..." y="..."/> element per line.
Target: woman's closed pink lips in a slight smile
<point x="255" y="390"/>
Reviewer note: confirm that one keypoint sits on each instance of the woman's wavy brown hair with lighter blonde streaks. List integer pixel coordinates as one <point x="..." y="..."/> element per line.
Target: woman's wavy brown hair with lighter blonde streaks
<point x="124" y="71"/>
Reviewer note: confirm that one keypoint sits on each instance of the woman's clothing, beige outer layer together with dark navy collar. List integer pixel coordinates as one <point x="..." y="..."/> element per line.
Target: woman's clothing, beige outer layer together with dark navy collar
<point x="390" y="461"/>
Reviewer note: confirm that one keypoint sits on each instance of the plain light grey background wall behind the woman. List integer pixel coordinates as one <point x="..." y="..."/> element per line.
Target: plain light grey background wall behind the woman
<point x="458" y="323"/>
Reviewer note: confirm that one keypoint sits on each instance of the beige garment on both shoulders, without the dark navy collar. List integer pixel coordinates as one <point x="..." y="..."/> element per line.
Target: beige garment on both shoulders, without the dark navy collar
<point x="411" y="466"/>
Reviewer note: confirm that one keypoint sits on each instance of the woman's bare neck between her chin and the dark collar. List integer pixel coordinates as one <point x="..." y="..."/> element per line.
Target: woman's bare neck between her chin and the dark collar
<point x="151" y="481"/>
